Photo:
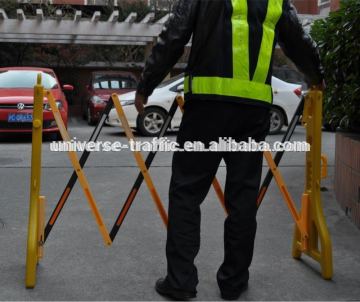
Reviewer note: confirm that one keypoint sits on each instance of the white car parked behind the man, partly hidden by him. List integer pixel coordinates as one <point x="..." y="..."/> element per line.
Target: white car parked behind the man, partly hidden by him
<point x="286" y="99"/>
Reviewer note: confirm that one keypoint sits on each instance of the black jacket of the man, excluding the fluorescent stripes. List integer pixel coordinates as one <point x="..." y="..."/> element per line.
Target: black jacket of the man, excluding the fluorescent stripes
<point x="209" y="23"/>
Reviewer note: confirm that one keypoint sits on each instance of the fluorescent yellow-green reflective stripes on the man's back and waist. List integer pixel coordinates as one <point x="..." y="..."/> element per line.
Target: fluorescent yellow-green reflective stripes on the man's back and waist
<point x="241" y="85"/>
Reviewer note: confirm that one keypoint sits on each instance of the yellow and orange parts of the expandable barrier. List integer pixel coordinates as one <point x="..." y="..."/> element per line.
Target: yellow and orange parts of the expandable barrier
<point x="310" y="226"/>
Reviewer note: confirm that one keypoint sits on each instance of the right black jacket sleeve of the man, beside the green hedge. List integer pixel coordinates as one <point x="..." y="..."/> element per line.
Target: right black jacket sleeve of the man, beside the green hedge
<point x="299" y="46"/>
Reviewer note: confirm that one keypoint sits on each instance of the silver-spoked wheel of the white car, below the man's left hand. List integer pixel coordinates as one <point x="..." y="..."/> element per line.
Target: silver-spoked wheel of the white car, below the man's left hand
<point x="151" y="122"/>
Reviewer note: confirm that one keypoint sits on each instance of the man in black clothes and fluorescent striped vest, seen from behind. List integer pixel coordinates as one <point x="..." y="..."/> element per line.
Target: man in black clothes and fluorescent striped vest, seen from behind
<point x="228" y="94"/>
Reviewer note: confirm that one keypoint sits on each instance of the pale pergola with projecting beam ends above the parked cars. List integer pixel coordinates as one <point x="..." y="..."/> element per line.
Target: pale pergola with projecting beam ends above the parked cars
<point x="60" y="30"/>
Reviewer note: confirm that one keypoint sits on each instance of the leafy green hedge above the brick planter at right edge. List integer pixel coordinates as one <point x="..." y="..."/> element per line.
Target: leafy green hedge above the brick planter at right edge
<point x="338" y="38"/>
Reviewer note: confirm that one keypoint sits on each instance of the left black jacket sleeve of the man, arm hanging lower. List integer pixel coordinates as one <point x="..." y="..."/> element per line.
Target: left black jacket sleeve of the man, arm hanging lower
<point x="171" y="43"/>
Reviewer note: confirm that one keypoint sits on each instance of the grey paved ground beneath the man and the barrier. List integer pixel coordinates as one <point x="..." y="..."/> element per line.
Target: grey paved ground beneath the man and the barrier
<point x="77" y="266"/>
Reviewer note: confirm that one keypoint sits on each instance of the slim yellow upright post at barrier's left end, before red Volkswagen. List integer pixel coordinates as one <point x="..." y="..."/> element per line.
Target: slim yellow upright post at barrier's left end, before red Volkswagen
<point x="32" y="240"/>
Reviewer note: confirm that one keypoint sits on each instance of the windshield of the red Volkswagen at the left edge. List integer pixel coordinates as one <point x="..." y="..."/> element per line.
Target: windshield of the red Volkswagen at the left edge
<point x="26" y="79"/>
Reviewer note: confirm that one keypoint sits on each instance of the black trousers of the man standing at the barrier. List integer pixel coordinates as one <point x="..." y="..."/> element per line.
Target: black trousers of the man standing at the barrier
<point x="192" y="175"/>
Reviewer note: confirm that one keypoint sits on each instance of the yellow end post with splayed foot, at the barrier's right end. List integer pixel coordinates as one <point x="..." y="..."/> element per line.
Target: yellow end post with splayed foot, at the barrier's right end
<point x="318" y="231"/>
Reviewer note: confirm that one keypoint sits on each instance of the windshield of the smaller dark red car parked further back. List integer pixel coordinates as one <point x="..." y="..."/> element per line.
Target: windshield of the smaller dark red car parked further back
<point x="113" y="82"/>
